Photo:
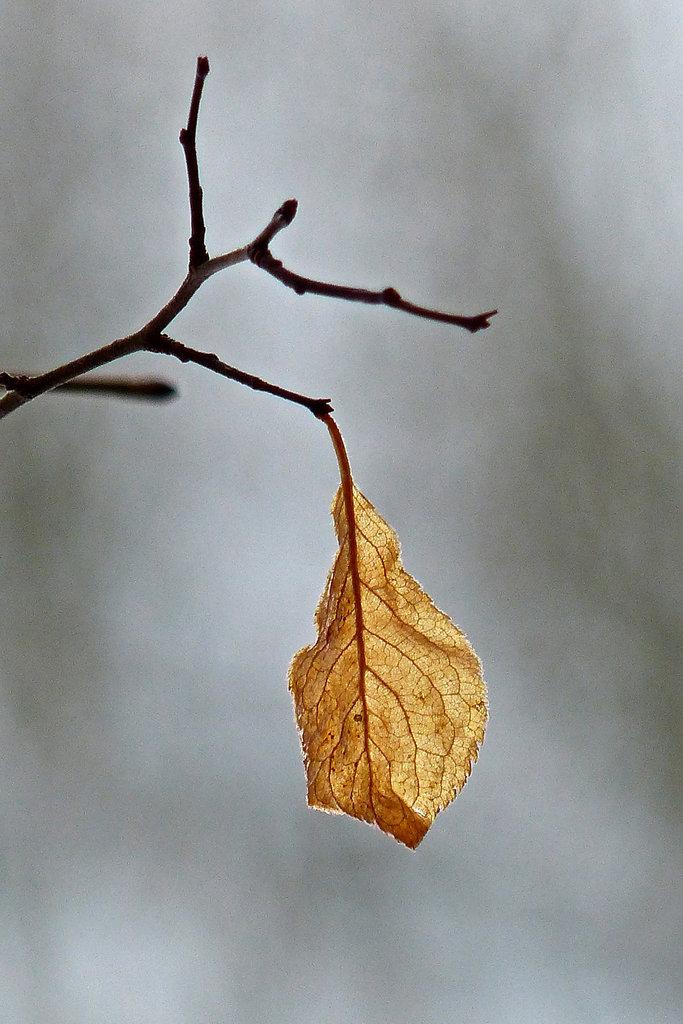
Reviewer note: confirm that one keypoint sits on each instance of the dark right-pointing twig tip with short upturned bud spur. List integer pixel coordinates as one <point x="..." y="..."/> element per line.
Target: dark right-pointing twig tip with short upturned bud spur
<point x="261" y="255"/>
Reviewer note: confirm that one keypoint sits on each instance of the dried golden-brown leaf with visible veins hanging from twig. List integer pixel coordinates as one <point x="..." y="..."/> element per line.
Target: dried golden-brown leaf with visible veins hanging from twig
<point x="390" y="700"/>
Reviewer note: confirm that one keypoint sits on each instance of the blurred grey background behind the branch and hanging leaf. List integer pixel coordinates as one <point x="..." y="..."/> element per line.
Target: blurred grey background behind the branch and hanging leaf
<point x="159" y="567"/>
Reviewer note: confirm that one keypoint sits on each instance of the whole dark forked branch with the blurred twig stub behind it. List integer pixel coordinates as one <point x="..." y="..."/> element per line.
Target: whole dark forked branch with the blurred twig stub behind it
<point x="22" y="389"/>
